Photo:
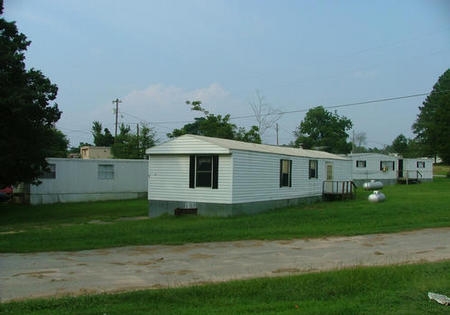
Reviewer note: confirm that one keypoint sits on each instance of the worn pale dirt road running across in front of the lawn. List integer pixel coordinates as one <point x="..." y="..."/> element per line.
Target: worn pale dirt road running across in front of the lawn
<point x="24" y="276"/>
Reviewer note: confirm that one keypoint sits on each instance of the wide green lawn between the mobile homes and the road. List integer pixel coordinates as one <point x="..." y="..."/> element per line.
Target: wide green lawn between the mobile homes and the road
<point x="66" y="227"/>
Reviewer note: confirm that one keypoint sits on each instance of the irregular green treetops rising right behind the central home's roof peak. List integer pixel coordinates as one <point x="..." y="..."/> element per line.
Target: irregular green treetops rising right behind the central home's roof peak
<point x="218" y="126"/>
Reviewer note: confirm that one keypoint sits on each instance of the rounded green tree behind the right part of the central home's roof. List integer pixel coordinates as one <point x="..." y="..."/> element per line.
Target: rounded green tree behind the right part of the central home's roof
<point x="324" y="130"/>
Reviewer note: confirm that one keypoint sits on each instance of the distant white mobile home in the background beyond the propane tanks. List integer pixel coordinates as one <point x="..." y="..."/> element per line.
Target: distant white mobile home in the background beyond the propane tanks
<point x="389" y="169"/>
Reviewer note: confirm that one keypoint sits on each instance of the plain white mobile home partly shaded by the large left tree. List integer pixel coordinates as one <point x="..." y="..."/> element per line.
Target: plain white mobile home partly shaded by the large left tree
<point x="74" y="180"/>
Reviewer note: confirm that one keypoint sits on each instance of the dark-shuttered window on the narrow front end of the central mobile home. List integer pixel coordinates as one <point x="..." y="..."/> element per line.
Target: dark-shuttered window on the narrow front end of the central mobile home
<point x="204" y="171"/>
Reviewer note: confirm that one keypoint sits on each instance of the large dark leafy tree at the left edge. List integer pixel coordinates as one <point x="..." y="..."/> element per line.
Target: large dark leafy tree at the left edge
<point x="27" y="117"/>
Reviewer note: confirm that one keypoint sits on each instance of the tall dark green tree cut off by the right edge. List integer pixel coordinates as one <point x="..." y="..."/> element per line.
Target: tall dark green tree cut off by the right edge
<point x="432" y="126"/>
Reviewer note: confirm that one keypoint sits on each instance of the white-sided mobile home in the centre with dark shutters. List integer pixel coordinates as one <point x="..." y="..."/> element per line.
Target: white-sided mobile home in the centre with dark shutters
<point x="224" y="177"/>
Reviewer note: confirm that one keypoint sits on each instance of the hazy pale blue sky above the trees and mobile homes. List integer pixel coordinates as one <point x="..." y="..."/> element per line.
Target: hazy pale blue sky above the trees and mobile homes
<point x="155" y="54"/>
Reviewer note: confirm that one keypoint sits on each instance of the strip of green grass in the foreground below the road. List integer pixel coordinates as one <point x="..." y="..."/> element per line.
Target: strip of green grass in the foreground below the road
<point x="371" y="290"/>
